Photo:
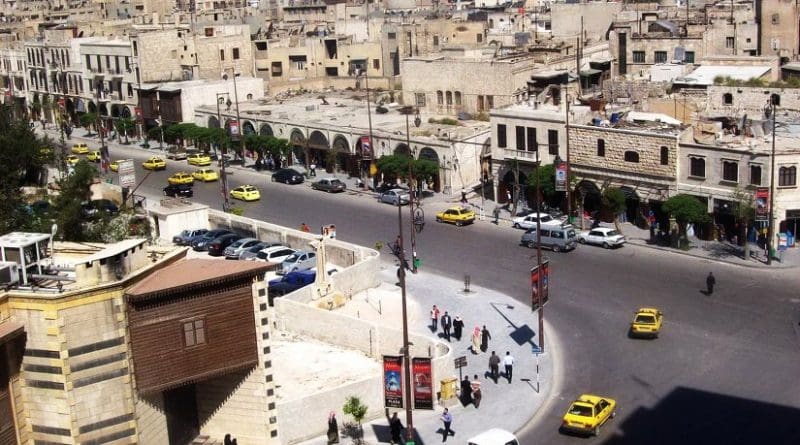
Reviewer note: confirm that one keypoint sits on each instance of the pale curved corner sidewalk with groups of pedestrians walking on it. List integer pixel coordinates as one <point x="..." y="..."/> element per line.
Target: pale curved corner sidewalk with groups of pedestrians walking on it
<point x="513" y="328"/>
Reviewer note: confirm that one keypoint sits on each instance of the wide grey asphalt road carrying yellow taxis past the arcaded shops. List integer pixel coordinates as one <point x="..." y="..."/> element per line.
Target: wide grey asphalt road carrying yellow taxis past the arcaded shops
<point x="726" y="368"/>
